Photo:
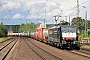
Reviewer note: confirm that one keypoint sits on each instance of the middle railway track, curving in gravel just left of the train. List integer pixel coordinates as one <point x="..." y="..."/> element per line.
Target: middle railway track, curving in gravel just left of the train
<point x="40" y="52"/>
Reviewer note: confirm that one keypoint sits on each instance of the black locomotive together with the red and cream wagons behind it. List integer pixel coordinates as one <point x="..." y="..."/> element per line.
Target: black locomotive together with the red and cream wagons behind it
<point x="59" y="36"/>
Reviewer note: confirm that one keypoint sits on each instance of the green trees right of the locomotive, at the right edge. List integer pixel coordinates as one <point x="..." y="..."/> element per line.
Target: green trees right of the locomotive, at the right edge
<point x="80" y="23"/>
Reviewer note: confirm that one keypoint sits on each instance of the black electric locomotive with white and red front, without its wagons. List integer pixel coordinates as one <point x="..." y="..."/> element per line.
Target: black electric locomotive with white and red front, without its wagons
<point x="64" y="37"/>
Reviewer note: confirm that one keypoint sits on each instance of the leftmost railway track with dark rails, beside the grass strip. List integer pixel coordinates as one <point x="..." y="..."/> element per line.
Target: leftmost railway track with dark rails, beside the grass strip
<point x="5" y="50"/>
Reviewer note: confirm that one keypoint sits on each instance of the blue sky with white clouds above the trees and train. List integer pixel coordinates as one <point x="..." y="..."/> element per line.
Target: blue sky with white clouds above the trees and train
<point x="14" y="12"/>
